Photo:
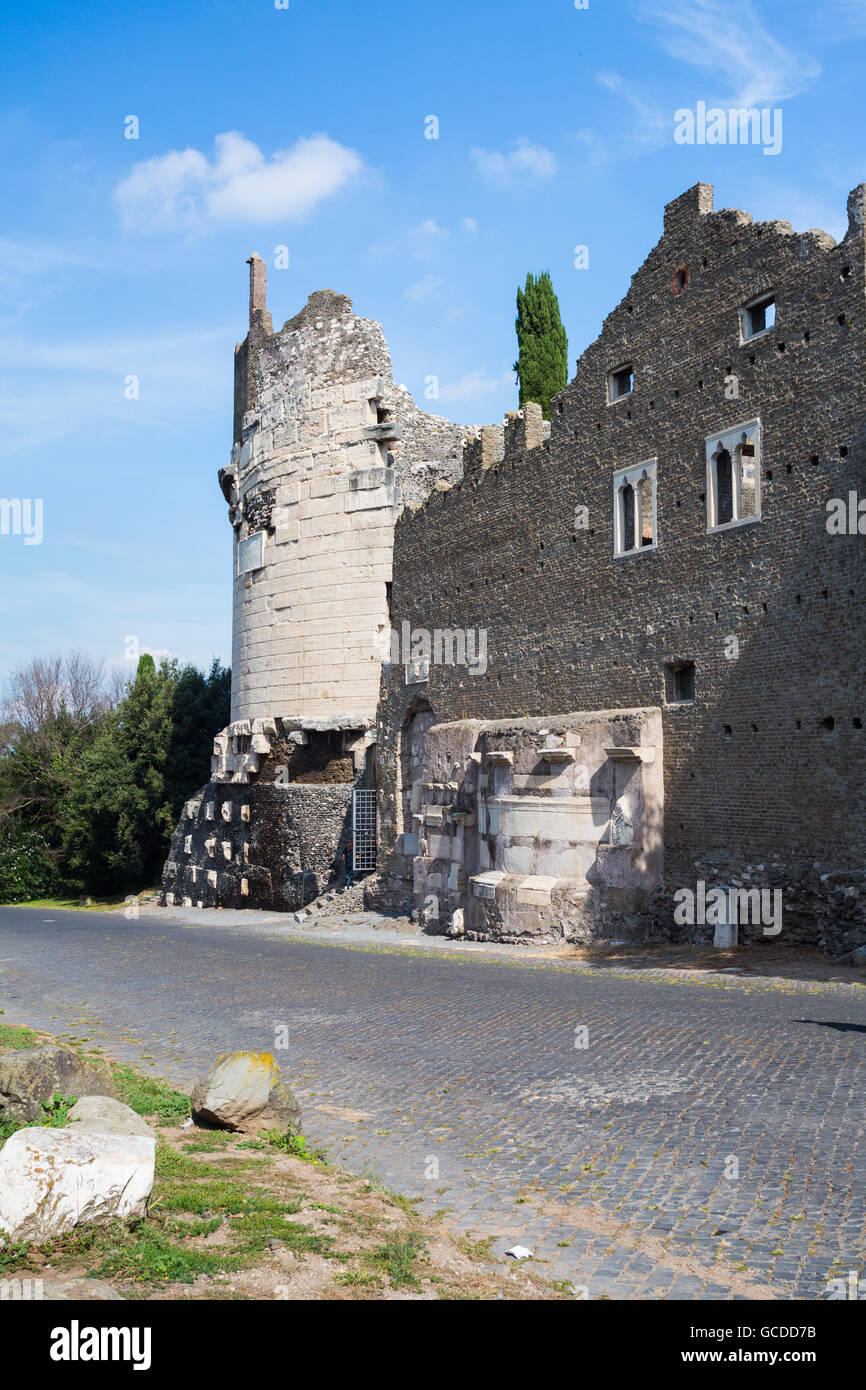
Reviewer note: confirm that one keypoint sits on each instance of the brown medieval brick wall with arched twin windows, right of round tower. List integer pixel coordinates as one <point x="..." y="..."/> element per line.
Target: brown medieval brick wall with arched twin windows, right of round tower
<point x="765" y="769"/>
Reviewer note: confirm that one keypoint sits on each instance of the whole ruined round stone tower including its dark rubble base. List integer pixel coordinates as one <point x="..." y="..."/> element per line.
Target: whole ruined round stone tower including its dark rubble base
<point x="326" y="450"/>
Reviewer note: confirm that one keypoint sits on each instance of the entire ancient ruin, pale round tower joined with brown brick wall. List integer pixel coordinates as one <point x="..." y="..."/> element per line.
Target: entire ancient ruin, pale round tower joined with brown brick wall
<point x="557" y="675"/>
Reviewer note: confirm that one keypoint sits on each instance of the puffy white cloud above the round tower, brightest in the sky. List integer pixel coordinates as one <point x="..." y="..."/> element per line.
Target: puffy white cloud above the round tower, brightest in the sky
<point x="186" y="191"/>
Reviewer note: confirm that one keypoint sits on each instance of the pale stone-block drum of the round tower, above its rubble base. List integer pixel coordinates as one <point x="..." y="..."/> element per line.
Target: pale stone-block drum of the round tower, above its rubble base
<point x="313" y="504"/>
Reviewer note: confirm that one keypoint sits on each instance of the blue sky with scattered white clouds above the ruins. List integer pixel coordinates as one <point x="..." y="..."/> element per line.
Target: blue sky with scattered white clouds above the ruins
<point x="307" y="129"/>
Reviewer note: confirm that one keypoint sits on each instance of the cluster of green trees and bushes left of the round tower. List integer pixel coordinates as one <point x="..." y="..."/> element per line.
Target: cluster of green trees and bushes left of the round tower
<point x="94" y="771"/>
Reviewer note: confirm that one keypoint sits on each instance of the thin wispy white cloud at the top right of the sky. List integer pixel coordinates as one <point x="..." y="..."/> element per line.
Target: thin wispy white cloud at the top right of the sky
<point x="726" y="40"/>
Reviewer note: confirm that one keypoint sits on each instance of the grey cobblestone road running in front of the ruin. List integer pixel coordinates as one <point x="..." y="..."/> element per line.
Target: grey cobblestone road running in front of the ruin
<point x="707" y="1142"/>
